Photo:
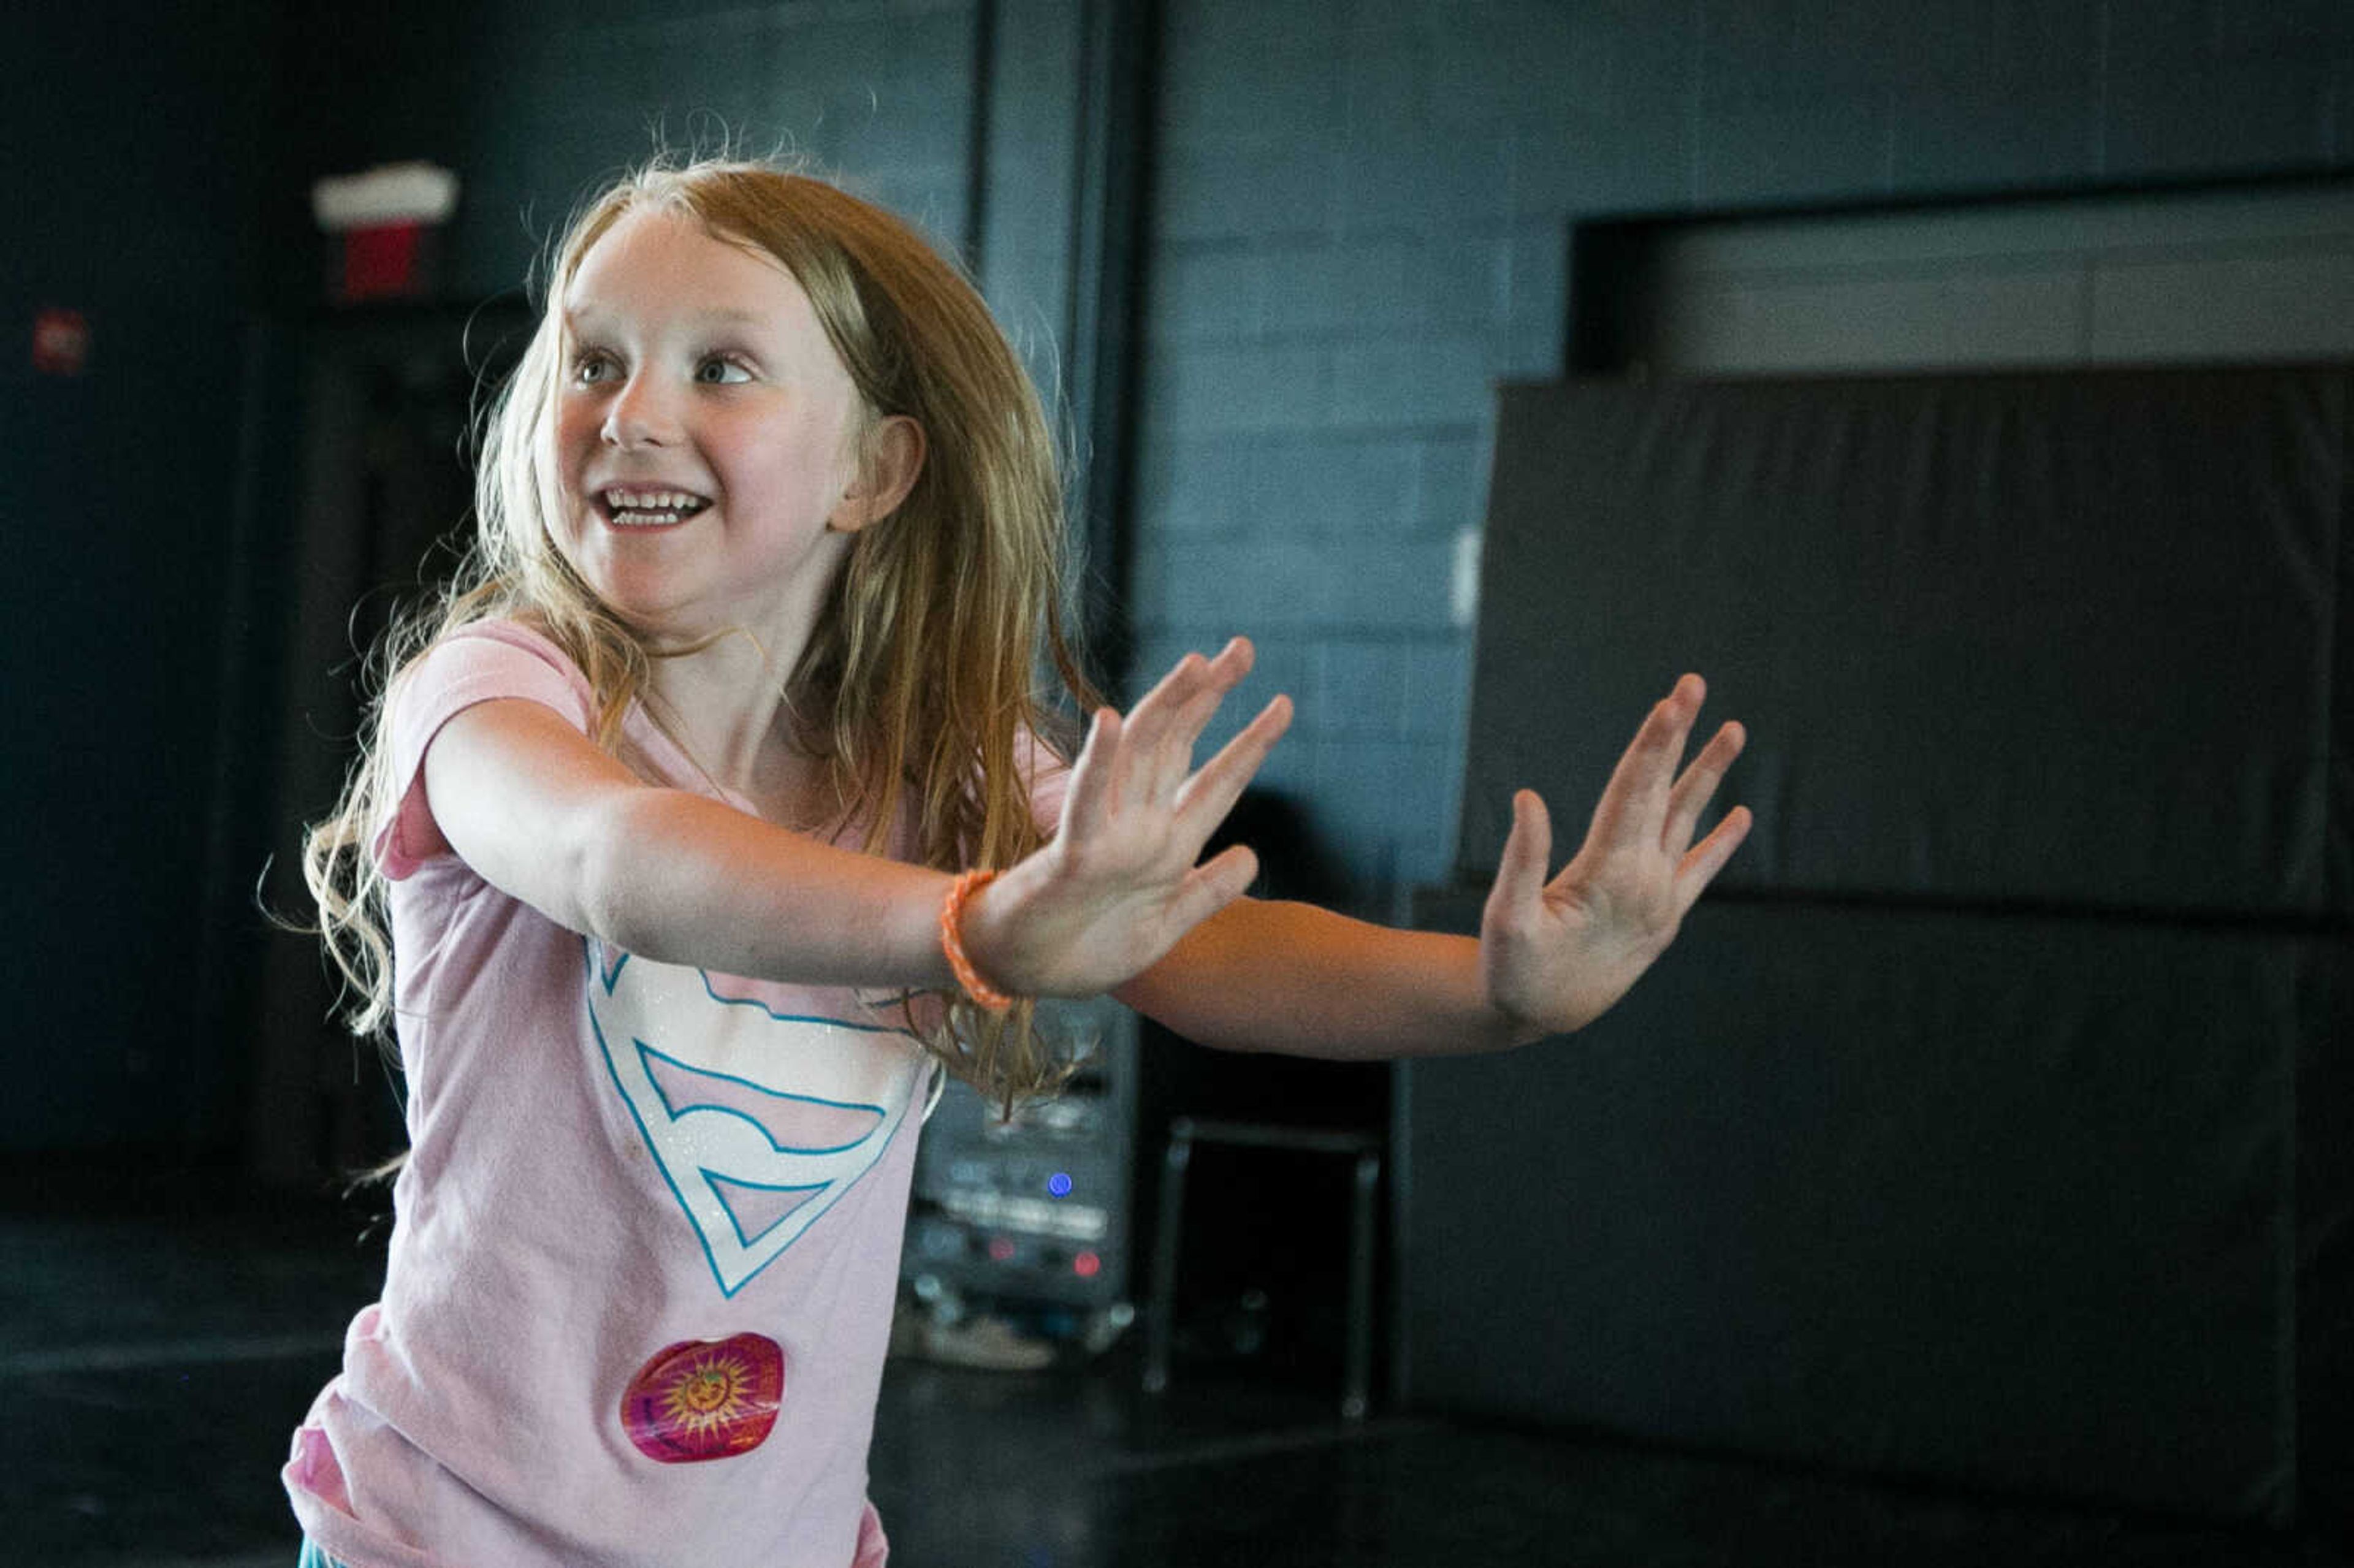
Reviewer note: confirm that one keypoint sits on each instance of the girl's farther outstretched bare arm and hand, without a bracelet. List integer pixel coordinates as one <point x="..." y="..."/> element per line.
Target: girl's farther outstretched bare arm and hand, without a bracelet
<point x="1552" y="955"/>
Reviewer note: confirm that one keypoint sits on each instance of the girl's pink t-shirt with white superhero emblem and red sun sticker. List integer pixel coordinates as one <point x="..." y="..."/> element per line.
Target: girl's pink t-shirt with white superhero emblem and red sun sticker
<point x="649" y="1233"/>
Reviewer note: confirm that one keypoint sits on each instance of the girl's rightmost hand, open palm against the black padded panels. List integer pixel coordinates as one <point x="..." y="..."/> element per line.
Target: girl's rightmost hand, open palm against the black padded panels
<point x="1555" y="955"/>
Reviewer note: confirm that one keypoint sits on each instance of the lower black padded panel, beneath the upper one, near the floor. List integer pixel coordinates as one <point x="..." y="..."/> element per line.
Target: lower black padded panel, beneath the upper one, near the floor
<point x="2002" y="1202"/>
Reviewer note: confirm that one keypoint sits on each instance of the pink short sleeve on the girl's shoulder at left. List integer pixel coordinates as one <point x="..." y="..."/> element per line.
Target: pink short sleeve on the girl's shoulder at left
<point x="484" y="663"/>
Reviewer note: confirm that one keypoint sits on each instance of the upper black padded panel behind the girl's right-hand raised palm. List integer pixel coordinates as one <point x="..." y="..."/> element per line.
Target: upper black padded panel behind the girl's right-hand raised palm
<point x="2044" y="639"/>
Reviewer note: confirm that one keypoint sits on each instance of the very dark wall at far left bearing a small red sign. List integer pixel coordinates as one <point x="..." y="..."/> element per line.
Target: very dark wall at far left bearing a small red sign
<point x="142" y="154"/>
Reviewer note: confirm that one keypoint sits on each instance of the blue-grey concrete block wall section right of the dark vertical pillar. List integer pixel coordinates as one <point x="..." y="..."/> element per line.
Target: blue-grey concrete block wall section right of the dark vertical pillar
<point x="1359" y="227"/>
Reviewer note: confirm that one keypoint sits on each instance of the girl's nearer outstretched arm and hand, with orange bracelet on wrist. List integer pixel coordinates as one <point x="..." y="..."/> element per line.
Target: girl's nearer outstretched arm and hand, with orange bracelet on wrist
<point x="684" y="879"/>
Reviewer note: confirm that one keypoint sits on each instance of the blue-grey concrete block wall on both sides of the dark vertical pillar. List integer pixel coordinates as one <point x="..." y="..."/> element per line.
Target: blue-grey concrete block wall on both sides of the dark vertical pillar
<point x="1357" y="227"/>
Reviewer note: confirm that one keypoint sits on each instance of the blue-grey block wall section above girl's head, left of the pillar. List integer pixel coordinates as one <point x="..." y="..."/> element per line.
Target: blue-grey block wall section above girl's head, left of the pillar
<point x="538" y="102"/>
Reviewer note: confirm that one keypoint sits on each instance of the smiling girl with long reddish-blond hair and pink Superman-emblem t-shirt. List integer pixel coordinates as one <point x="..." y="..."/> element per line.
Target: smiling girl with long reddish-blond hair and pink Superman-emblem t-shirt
<point x="714" y="818"/>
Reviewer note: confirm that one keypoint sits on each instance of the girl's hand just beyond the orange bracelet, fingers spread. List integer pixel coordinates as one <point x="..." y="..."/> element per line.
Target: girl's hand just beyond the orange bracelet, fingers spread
<point x="1119" y="884"/>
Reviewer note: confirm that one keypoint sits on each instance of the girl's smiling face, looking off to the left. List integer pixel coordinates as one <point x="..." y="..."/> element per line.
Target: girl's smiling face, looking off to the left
<point x="707" y="437"/>
